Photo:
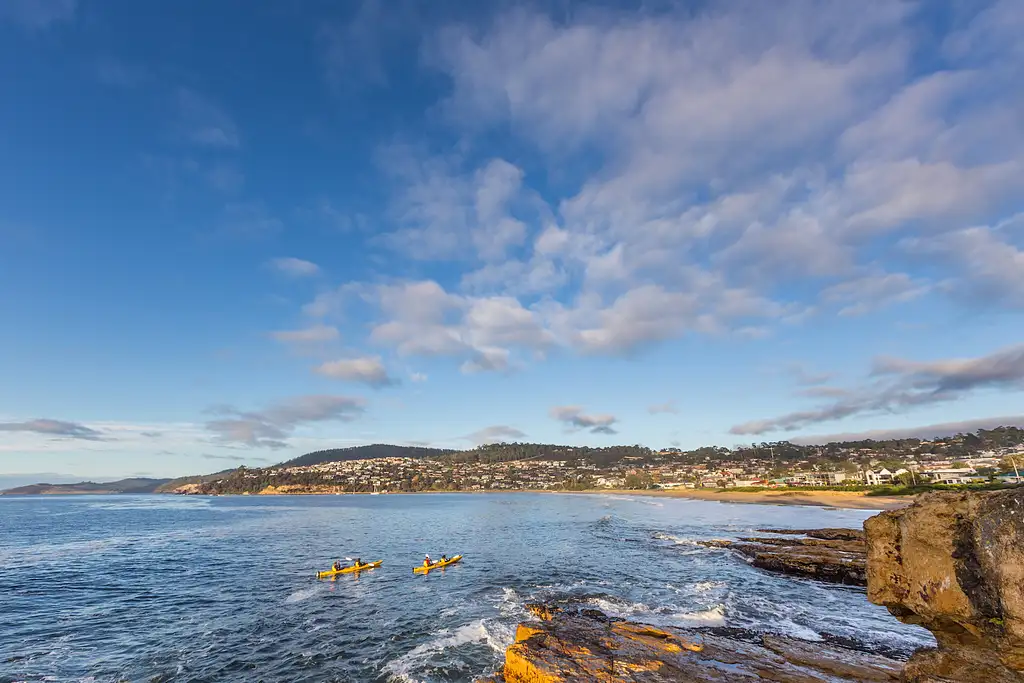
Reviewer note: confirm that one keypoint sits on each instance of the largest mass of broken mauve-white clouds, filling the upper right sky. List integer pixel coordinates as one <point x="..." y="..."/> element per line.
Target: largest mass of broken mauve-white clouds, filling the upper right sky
<point x="661" y="190"/>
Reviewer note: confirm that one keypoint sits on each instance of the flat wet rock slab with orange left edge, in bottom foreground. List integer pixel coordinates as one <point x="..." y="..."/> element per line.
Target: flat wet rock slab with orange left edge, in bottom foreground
<point x="587" y="647"/>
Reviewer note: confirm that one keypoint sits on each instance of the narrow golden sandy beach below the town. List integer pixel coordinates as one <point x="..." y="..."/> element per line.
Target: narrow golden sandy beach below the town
<point x="830" y="499"/>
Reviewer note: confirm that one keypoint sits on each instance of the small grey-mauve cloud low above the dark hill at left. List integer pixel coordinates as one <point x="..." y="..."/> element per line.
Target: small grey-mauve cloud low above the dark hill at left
<point x="272" y="428"/>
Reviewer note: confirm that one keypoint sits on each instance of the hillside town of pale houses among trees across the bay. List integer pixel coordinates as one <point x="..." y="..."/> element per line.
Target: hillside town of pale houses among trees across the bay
<point x="529" y="467"/>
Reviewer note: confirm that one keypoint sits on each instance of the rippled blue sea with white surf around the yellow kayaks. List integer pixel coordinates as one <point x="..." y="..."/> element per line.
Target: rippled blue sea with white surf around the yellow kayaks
<point x="159" y="588"/>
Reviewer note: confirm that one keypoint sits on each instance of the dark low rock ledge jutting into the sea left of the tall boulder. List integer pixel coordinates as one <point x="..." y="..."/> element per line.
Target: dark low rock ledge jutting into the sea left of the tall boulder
<point x="833" y="556"/>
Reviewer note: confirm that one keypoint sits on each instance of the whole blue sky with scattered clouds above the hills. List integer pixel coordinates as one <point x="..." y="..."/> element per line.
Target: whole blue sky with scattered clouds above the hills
<point x="234" y="233"/>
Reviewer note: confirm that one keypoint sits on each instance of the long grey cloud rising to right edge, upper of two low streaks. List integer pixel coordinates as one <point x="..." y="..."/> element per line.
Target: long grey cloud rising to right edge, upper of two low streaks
<point x="902" y="386"/>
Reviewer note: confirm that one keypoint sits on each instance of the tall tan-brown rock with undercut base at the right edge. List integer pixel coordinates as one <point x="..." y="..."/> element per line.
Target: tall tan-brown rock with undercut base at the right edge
<point x="954" y="563"/>
